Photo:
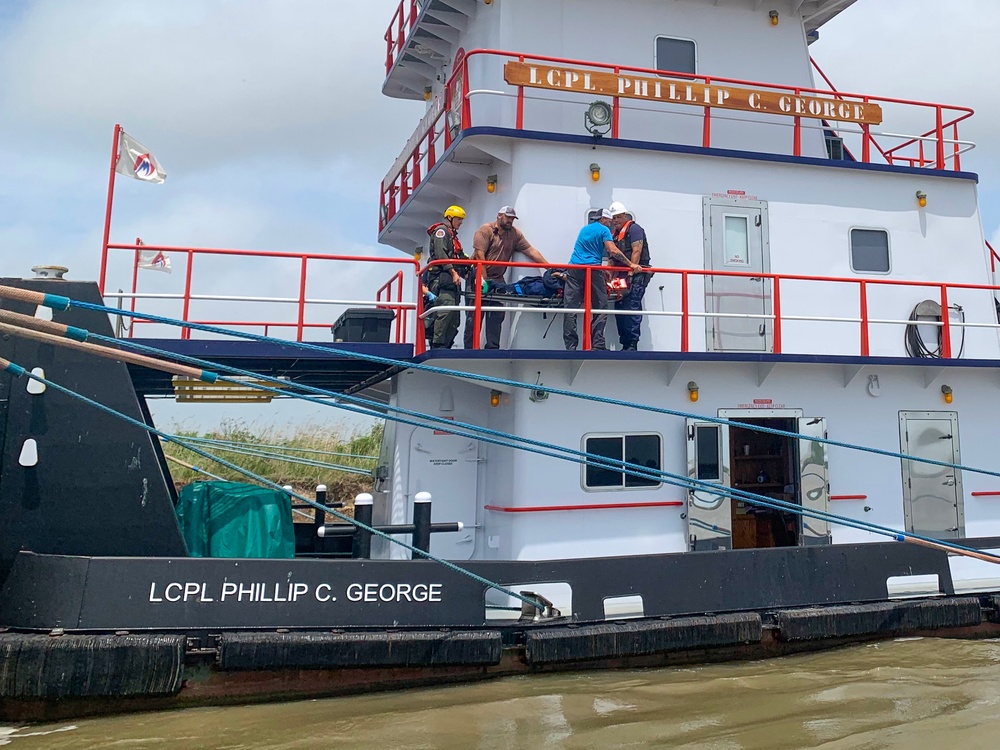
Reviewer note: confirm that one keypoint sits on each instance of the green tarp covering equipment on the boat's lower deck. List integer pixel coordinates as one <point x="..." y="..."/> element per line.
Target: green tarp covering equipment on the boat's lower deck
<point x="231" y="519"/>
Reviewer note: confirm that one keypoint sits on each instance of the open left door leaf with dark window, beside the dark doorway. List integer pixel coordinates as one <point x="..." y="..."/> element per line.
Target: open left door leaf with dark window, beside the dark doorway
<point x="709" y="514"/>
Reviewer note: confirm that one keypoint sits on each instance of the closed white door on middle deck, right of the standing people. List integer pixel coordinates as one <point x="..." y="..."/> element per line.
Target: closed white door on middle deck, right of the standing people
<point x="736" y="241"/>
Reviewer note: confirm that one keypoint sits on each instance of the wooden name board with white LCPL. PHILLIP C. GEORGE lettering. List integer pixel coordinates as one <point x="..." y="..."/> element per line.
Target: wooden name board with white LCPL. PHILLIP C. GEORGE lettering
<point x="673" y="91"/>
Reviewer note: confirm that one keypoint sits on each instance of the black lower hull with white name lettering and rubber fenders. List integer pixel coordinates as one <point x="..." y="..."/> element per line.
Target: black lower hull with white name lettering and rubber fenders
<point x="107" y="638"/>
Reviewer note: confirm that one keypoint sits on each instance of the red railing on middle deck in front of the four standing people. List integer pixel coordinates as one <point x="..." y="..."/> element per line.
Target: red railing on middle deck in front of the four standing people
<point x="686" y="315"/>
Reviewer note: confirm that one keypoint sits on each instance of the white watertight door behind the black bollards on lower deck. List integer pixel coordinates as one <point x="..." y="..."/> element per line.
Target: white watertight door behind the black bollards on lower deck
<point x="447" y="466"/>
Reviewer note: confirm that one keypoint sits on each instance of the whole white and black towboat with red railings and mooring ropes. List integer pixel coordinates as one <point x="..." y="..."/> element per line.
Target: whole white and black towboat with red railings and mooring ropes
<point x="796" y="455"/>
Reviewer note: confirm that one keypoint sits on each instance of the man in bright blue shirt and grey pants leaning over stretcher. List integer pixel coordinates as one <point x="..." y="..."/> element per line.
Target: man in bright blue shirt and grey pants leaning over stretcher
<point x="592" y="243"/>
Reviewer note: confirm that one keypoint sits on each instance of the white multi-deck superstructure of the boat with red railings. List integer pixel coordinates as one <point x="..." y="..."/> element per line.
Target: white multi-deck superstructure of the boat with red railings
<point x="791" y="248"/>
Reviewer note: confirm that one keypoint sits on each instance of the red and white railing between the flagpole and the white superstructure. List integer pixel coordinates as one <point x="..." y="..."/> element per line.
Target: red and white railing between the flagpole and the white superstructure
<point x="300" y="300"/>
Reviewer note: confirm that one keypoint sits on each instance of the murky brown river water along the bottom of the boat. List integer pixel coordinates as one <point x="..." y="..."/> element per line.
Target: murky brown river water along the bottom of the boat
<point x="910" y="693"/>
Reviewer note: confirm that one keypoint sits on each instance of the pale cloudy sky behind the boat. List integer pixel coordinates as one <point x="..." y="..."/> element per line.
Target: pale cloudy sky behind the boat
<point x="268" y="117"/>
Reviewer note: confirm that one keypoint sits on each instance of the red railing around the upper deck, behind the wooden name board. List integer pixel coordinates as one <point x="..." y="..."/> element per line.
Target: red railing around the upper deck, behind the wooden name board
<point x="446" y="119"/>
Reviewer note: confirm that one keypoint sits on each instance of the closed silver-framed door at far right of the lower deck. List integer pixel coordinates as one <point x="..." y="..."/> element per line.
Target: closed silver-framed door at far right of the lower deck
<point x="932" y="495"/>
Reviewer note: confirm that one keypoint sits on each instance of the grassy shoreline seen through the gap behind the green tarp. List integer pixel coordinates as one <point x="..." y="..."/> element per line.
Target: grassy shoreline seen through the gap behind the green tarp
<point x="341" y="486"/>
